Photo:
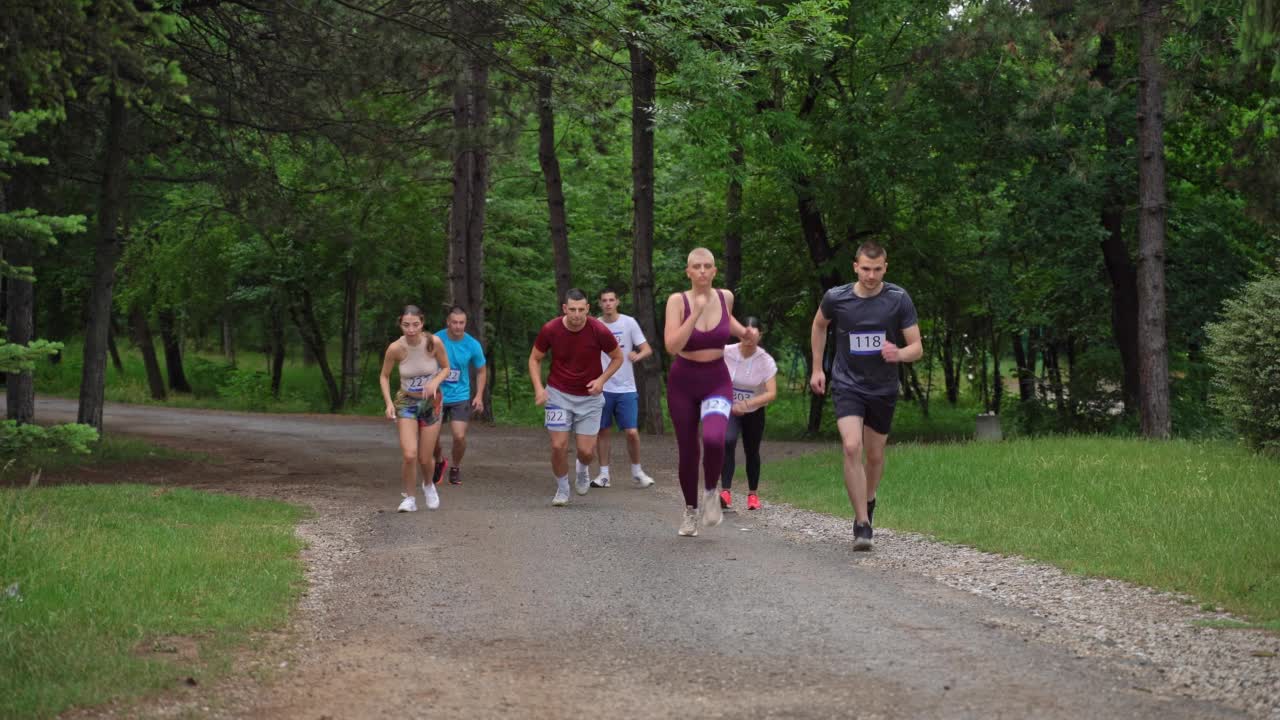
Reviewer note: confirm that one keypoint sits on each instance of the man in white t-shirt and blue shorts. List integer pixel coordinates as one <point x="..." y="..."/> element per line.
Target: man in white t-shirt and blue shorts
<point x="621" y="402"/>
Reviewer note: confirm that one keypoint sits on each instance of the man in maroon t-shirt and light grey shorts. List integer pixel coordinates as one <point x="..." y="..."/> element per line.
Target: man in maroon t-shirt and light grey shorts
<point x="574" y="399"/>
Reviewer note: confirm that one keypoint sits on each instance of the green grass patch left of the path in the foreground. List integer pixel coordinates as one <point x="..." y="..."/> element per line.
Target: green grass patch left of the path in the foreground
<point x="108" y="577"/>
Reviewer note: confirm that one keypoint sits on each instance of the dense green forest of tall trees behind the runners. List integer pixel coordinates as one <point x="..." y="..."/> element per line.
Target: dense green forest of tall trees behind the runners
<point x="1069" y="190"/>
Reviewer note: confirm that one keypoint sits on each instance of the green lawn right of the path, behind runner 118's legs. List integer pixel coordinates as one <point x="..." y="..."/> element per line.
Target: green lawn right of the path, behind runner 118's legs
<point x="1199" y="518"/>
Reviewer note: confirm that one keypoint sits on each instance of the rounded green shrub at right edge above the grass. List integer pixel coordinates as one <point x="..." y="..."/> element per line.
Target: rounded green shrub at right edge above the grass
<point x="1245" y="349"/>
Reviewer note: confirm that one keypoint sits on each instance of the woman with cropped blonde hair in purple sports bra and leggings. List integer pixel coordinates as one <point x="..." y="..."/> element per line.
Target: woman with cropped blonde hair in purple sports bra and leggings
<point x="700" y="391"/>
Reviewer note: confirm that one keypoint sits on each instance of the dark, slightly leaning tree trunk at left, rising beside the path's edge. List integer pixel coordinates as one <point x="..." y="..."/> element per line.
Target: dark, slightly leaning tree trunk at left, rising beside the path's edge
<point x="107" y="252"/>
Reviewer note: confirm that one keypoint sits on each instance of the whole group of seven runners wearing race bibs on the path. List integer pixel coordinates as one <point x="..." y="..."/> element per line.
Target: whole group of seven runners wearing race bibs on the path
<point x="717" y="393"/>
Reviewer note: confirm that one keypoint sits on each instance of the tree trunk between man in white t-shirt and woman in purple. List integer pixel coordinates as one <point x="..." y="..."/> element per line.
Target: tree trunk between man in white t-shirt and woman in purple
<point x="644" y="86"/>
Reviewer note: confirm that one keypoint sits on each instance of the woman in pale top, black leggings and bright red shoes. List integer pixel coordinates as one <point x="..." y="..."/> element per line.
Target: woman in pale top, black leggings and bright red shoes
<point x="753" y="372"/>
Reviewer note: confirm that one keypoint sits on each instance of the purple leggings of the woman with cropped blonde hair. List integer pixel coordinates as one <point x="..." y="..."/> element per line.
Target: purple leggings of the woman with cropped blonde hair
<point x="689" y="385"/>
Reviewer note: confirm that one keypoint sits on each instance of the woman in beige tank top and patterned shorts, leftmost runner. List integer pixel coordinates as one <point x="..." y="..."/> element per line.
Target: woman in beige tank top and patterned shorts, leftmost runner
<point x="423" y="366"/>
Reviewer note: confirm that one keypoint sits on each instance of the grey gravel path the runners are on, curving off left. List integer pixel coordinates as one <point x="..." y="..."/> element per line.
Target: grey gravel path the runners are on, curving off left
<point x="499" y="605"/>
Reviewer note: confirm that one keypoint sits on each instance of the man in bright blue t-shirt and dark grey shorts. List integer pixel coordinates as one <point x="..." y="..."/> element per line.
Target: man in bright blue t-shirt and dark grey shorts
<point x="465" y="353"/>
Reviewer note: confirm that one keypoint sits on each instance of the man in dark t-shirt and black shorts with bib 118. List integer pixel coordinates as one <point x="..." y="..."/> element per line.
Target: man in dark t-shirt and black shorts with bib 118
<point x="876" y="330"/>
